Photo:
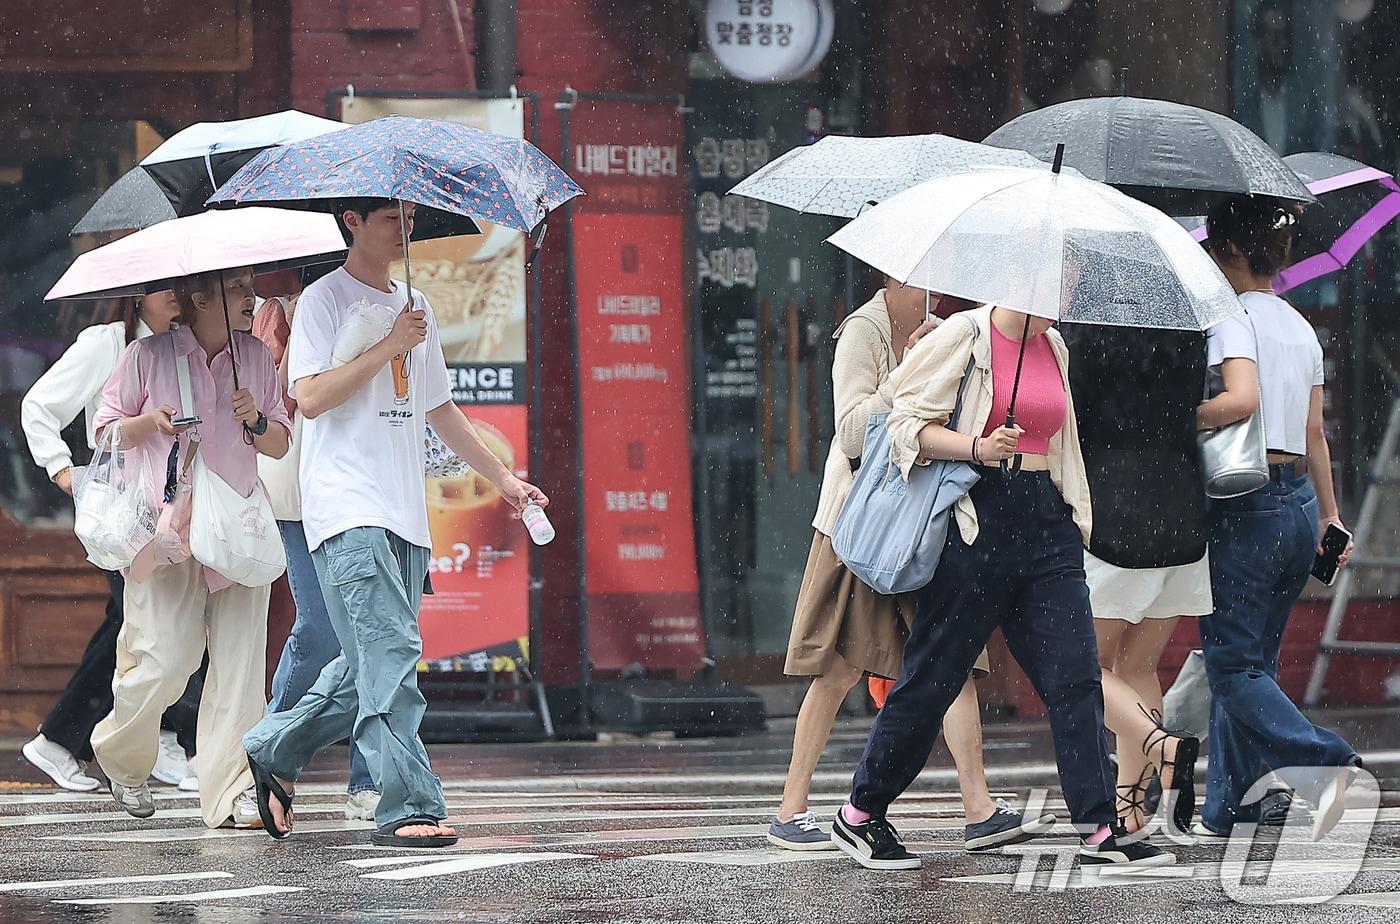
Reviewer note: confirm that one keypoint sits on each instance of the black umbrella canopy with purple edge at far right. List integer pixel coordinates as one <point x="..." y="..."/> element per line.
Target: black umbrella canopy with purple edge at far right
<point x="1356" y="202"/>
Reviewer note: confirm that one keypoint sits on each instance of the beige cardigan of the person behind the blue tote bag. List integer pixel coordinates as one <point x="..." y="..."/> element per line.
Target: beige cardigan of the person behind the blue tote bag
<point x="860" y="386"/>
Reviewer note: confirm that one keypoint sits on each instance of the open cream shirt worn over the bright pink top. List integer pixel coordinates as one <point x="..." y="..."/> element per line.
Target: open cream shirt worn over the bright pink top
<point x="926" y="390"/>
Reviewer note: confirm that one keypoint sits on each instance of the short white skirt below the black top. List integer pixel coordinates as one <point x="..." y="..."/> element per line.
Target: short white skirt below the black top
<point x="1137" y="594"/>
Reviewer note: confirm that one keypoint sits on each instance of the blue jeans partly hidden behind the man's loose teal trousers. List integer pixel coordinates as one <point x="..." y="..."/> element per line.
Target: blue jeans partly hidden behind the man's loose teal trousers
<point x="313" y="643"/>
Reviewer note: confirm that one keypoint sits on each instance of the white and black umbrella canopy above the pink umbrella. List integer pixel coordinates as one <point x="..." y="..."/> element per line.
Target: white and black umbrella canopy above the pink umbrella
<point x="192" y="163"/>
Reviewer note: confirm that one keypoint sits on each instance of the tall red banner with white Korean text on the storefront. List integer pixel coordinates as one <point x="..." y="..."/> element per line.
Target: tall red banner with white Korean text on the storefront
<point x="635" y="370"/>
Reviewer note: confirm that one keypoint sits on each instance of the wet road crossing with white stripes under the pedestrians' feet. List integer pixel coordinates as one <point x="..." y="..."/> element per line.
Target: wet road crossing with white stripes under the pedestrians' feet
<point x="554" y="835"/>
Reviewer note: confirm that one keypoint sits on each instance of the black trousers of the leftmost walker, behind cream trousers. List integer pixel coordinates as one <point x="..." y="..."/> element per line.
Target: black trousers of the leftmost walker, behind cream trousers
<point x="87" y="699"/>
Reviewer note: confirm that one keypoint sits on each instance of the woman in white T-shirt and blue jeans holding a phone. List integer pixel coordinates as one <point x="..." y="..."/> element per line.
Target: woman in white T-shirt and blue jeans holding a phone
<point x="1263" y="544"/>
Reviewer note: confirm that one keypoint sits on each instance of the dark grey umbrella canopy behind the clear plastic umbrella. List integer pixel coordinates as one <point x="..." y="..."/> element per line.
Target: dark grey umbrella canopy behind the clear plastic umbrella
<point x="1177" y="157"/>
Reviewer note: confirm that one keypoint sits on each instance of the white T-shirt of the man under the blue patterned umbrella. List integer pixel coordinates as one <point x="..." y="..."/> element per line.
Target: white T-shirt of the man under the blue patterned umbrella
<point x="362" y="464"/>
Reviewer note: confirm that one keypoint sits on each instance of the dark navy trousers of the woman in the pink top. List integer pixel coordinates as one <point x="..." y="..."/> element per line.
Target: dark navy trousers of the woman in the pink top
<point x="1025" y="573"/>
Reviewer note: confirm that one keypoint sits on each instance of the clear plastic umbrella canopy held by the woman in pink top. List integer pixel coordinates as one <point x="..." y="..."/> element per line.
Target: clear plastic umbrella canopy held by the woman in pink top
<point x="1048" y="244"/>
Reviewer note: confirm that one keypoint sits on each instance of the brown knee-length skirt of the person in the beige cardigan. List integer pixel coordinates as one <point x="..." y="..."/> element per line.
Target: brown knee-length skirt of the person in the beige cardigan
<point x="841" y="615"/>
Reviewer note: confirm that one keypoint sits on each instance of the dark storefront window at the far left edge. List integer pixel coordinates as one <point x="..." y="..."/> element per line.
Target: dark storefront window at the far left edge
<point x="50" y="176"/>
